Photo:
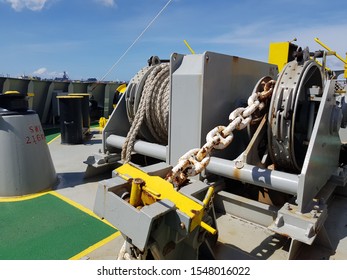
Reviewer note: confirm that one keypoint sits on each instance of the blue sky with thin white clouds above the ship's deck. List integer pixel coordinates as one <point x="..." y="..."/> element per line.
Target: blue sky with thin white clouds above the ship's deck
<point x="85" y="38"/>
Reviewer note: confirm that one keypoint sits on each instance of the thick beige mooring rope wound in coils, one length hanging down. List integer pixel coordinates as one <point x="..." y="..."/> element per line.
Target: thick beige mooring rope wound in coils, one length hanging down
<point x="153" y="109"/>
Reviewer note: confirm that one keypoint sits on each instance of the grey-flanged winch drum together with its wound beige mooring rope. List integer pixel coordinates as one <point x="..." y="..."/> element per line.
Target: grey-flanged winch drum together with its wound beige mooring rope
<point x="148" y="101"/>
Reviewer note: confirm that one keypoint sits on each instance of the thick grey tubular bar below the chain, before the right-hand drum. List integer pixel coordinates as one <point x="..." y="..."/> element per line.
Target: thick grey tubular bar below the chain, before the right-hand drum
<point x="272" y="179"/>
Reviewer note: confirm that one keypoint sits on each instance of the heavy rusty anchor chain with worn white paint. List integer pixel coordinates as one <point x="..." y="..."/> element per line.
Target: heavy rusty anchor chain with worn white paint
<point x="196" y="160"/>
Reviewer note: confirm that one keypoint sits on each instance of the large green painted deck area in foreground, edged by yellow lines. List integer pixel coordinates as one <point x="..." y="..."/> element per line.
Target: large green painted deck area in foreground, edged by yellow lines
<point x="47" y="228"/>
